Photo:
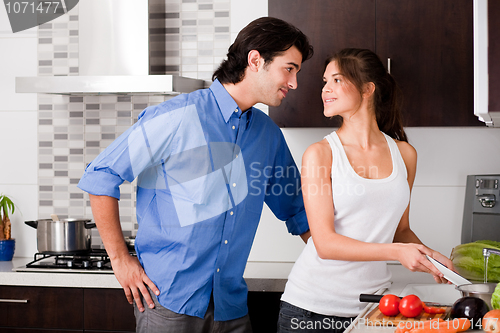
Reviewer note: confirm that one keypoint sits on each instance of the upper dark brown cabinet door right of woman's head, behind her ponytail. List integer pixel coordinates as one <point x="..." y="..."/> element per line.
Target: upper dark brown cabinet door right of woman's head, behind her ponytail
<point x="431" y="50"/>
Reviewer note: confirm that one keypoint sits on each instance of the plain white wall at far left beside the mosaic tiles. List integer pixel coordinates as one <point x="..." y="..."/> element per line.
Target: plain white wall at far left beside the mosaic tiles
<point x="18" y="132"/>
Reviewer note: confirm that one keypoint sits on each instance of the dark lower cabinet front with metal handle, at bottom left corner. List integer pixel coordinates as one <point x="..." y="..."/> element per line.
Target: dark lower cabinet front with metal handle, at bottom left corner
<point x="39" y="307"/>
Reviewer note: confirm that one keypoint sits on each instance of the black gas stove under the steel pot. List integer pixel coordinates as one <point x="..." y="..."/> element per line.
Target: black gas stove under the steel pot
<point x="96" y="261"/>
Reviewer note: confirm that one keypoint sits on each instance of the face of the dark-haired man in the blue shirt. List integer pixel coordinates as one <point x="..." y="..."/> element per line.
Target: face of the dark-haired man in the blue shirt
<point x="279" y="76"/>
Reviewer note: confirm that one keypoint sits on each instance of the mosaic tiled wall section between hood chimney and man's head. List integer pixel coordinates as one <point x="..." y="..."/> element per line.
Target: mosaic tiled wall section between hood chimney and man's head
<point x="188" y="37"/>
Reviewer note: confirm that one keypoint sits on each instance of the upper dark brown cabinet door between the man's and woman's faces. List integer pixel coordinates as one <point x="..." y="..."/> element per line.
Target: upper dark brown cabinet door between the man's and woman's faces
<point x="331" y="25"/>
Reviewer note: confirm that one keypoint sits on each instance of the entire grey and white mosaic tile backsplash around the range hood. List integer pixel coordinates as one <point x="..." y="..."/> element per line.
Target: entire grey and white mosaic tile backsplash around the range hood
<point x="187" y="37"/>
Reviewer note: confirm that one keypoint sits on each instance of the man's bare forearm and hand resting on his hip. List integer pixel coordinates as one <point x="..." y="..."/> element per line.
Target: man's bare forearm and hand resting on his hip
<point x="127" y="269"/>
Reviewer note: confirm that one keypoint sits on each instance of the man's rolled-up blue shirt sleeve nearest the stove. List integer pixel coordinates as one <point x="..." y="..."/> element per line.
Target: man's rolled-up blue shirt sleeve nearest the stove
<point x="142" y="146"/>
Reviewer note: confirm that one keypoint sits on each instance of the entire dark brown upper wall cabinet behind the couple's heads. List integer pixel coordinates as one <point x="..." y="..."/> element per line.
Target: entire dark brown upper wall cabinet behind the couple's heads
<point x="429" y="43"/>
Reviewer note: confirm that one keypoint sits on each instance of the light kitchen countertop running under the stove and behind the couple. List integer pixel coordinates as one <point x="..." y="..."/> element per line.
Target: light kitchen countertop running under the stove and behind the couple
<point x="260" y="276"/>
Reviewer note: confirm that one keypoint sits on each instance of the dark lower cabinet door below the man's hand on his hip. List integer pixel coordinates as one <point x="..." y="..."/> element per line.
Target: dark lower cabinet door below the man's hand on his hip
<point x="108" y="310"/>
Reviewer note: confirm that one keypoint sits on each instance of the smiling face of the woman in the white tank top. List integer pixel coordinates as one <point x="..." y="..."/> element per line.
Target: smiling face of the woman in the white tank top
<point x="340" y="97"/>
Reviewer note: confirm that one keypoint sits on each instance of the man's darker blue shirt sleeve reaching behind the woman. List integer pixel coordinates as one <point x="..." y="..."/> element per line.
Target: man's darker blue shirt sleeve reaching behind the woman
<point x="284" y="197"/>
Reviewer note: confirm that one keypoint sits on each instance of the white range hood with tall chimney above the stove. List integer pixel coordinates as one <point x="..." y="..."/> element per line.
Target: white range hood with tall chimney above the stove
<point x="113" y="55"/>
